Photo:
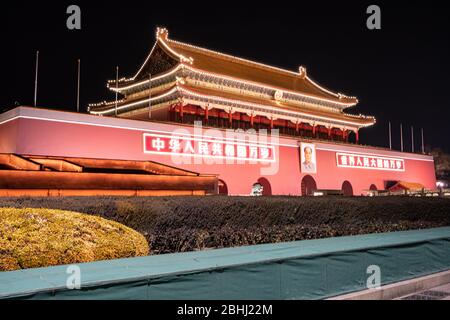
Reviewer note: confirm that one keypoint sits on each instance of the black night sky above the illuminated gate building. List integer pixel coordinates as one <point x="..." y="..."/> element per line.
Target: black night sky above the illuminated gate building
<point x="400" y="73"/>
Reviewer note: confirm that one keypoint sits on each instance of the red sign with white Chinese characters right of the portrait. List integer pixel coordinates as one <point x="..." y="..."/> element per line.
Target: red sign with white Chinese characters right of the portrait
<point x="349" y="160"/>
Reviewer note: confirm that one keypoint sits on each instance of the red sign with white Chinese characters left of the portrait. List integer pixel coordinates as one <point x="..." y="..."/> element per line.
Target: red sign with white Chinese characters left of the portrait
<point x="207" y="148"/>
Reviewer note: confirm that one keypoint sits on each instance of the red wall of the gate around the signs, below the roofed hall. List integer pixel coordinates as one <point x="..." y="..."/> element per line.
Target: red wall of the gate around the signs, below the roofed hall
<point x="32" y="131"/>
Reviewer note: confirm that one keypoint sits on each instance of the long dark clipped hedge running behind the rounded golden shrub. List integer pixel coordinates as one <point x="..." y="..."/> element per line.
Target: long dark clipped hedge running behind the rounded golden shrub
<point x="176" y="224"/>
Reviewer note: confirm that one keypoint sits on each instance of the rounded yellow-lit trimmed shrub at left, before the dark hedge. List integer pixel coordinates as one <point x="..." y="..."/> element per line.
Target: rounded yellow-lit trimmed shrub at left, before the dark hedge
<point x="31" y="238"/>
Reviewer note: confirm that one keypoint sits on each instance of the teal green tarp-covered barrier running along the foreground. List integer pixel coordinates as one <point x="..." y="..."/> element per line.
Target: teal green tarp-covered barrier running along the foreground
<point x="311" y="269"/>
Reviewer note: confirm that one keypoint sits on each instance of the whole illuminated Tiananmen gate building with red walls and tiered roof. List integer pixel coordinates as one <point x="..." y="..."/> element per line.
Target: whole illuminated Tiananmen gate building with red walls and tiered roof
<point x="196" y="121"/>
